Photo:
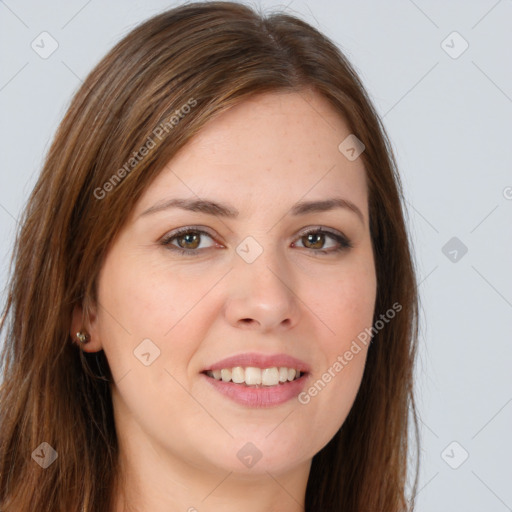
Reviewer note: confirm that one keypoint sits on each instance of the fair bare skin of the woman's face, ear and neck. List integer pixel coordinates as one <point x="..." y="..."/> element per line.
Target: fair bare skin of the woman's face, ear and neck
<point x="178" y="436"/>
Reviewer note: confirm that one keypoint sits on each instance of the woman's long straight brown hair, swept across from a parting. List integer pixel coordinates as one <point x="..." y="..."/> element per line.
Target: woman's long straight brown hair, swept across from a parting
<point x="211" y="55"/>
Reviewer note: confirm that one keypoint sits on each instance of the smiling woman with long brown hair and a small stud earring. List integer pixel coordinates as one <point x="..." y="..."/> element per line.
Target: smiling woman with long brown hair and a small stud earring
<point x="213" y="303"/>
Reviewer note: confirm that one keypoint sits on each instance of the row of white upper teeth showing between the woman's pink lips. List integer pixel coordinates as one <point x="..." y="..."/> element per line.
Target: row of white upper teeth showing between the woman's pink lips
<point x="254" y="376"/>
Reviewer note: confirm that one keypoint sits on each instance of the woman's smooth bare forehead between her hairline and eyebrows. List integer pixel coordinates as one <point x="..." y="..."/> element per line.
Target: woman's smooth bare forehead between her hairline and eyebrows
<point x="273" y="147"/>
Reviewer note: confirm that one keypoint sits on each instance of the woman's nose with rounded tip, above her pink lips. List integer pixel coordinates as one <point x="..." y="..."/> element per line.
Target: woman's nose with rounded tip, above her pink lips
<point x="261" y="295"/>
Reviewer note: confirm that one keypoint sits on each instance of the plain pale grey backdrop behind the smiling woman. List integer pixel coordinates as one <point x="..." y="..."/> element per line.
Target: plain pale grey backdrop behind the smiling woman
<point x="450" y="121"/>
